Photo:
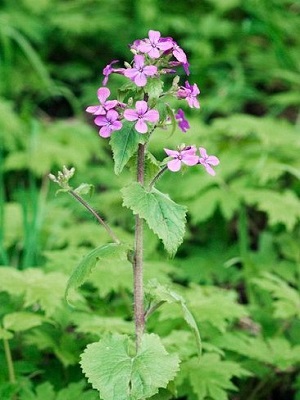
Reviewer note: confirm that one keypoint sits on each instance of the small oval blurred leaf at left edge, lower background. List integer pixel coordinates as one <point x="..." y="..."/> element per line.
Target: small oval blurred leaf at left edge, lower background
<point x="22" y="320"/>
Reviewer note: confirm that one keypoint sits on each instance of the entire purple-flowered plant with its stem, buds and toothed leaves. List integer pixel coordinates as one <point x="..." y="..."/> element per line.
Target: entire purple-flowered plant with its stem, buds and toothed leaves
<point x="130" y="122"/>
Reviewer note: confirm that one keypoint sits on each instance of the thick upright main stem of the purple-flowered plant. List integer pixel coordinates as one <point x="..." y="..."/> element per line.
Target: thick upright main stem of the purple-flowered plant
<point x="139" y="316"/>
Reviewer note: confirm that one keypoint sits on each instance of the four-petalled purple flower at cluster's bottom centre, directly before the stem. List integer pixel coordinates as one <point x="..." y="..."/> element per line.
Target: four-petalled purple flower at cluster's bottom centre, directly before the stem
<point x="141" y="114"/>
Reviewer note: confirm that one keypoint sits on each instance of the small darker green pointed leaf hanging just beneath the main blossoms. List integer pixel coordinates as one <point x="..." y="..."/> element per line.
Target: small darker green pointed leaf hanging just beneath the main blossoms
<point x="124" y="144"/>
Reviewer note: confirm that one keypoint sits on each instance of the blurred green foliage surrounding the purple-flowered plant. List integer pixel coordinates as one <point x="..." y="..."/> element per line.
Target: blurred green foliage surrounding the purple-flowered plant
<point x="239" y="267"/>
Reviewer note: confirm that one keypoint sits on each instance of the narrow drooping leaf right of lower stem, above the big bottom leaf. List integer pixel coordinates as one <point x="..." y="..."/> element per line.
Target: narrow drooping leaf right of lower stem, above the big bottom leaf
<point x="165" y="294"/>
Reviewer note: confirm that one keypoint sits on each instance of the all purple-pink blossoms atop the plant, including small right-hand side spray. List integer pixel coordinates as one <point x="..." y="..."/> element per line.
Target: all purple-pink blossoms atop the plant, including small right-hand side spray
<point x="154" y="57"/>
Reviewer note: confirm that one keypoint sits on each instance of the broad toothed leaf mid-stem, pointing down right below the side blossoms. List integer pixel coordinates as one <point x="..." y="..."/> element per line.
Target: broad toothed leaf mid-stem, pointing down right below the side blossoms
<point x="163" y="215"/>
